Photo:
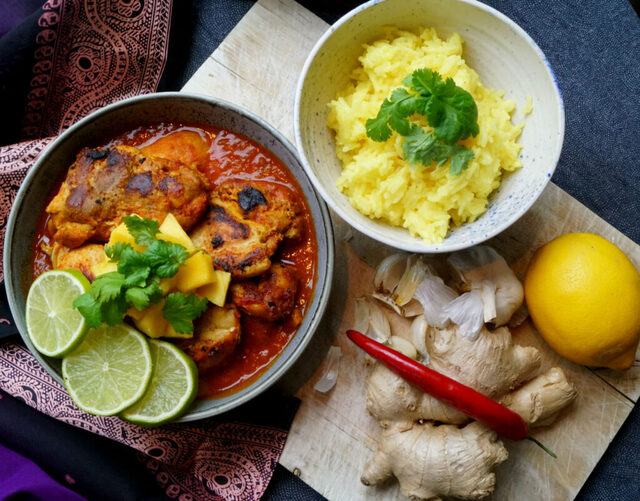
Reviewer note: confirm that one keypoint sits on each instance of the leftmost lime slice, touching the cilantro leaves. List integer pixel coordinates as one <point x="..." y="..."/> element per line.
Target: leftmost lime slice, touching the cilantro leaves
<point x="54" y="325"/>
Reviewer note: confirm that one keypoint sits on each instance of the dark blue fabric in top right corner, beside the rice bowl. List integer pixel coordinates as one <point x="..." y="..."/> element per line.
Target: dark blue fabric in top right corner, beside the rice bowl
<point x="594" y="48"/>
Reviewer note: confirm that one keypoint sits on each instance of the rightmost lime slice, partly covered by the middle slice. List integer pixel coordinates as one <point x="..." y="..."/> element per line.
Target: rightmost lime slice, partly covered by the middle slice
<point x="173" y="387"/>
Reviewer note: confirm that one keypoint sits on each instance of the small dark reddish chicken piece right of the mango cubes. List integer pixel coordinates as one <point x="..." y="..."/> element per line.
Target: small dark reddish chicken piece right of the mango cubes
<point x="272" y="297"/>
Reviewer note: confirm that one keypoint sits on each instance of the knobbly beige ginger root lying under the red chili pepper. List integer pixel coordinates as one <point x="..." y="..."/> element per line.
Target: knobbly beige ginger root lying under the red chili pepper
<point x="422" y="443"/>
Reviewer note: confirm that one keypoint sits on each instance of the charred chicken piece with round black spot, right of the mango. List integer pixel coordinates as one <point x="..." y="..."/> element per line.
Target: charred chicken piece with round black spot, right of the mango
<point x="245" y="223"/>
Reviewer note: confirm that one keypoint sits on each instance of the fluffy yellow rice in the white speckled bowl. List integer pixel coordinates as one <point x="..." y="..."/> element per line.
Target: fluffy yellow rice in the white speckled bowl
<point x="375" y="177"/>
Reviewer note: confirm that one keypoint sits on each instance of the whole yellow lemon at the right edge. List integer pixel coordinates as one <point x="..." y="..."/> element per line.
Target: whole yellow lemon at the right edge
<point x="583" y="295"/>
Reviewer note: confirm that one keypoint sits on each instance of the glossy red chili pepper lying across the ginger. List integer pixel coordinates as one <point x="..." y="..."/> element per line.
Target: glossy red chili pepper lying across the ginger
<point x="465" y="399"/>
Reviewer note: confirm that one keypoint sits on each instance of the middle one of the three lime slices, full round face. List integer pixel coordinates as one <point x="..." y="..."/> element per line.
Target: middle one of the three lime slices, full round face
<point x="109" y="371"/>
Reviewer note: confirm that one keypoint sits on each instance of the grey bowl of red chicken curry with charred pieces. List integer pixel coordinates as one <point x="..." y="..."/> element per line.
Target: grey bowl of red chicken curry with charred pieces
<point x="236" y="186"/>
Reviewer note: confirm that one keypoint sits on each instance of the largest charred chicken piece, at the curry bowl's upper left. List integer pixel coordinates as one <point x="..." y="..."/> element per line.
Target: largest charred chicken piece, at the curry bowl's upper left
<point x="106" y="184"/>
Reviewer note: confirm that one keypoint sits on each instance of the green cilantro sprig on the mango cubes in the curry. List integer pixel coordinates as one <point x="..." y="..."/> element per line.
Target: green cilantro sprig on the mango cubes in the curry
<point x="136" y="283"/>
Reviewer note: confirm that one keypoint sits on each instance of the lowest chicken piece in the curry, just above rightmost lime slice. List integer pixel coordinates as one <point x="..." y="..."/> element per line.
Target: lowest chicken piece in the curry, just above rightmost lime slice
<point x="216" y="335"/>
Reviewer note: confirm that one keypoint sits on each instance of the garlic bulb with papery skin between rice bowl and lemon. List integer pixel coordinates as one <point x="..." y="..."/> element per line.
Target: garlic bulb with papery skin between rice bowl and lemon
<point x="481" y="267"/>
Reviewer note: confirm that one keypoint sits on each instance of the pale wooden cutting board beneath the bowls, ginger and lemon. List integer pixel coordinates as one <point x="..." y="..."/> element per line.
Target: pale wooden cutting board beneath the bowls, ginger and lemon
<point x="257" y="66"/>
